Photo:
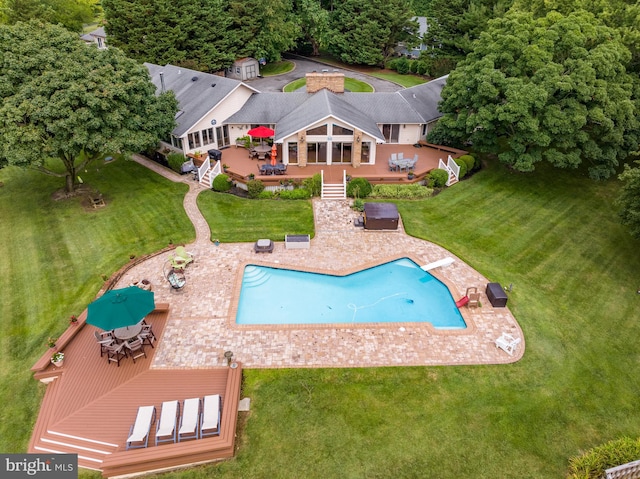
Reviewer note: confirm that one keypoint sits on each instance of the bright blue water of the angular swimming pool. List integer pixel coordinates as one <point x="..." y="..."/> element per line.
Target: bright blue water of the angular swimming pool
<point x="393" y="292"/>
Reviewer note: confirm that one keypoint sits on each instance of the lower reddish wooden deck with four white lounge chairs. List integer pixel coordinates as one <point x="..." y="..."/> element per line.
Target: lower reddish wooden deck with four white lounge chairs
<point x="89" y="406"/>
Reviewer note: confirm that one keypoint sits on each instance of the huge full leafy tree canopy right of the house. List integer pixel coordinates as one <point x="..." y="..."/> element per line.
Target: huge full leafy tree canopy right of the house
<point x="553" y="88"/>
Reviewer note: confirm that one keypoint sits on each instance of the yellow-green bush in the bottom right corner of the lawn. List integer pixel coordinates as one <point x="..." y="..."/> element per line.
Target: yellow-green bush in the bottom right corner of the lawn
<point x="593" y="463"/>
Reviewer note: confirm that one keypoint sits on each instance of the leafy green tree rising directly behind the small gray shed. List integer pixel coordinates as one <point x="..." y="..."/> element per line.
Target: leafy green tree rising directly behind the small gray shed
<point x="264" y="28"/>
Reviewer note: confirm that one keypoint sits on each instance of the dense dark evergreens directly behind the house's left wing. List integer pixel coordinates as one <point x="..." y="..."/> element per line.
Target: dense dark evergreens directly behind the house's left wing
<point x="194" y="34"/>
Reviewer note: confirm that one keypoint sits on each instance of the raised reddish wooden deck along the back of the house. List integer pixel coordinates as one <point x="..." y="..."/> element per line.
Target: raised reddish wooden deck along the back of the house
<point x="240" y="166"/>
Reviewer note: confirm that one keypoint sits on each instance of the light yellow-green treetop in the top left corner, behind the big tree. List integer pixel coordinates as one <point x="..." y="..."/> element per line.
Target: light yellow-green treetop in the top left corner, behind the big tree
<point x="70" y="13"/>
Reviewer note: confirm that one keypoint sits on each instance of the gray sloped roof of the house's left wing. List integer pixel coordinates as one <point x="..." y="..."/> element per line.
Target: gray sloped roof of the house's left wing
<point x="197" y="92"/>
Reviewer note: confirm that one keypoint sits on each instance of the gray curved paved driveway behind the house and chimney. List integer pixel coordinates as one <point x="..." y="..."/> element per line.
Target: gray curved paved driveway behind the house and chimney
<point x="304" y="66"/>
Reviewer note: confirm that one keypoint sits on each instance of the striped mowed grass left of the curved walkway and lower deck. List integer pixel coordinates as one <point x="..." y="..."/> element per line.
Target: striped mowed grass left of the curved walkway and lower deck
<point x="55" y="253"/>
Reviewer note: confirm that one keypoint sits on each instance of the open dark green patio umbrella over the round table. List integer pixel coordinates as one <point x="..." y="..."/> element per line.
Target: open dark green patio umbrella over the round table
<point x="119" y="308"/>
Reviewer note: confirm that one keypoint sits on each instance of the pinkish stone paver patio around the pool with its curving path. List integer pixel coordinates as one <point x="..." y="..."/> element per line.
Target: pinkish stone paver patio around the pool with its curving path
<point x="202" y="327"/>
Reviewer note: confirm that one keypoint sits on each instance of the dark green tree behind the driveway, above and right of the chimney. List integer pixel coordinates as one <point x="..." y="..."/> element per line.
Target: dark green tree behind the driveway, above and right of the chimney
<point x="367" y="32"/>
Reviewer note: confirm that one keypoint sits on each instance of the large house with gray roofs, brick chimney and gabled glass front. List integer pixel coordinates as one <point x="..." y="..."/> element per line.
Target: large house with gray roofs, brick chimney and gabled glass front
<point x="323" y="124"/>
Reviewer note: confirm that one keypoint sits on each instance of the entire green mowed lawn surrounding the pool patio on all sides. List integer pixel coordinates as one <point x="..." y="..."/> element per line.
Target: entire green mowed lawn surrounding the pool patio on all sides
<point x="553" y="234"/>
